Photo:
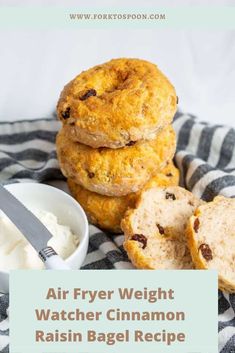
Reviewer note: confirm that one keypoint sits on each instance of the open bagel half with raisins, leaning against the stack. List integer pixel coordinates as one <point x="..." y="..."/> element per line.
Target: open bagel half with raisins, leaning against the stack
<point x="155" y="228"/>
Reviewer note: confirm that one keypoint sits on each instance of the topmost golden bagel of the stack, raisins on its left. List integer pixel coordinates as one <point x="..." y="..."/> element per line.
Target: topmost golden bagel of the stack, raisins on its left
<point x="117" y="103"/>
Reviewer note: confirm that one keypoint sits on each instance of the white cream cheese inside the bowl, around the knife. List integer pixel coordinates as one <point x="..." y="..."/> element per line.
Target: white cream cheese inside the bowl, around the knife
<point x="17" y="253"/>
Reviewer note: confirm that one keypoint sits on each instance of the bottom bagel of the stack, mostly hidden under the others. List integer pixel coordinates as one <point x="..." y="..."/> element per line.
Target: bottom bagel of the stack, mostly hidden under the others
<point x="107" y="212"/>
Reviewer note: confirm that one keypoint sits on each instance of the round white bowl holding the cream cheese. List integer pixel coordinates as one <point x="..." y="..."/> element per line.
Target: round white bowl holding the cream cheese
<point x="64" y="207"/>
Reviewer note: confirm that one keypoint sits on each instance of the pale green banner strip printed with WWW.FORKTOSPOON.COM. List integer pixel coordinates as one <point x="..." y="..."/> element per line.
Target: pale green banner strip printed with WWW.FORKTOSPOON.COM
<point x="178" y="17"/>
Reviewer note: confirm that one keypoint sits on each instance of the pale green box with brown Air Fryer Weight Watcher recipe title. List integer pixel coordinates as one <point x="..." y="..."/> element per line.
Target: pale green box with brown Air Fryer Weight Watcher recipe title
<point x="174" y="311"/>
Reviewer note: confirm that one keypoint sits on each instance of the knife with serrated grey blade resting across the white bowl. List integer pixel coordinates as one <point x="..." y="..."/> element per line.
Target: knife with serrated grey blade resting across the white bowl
<point x="31" y="227"/>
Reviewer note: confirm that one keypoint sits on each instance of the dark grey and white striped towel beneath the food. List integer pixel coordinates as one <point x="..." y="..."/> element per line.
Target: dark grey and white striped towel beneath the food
<point x="205" y="156"/>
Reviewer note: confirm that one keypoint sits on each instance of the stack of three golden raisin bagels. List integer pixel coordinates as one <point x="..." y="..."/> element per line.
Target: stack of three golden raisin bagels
<point x="116" y="137"/>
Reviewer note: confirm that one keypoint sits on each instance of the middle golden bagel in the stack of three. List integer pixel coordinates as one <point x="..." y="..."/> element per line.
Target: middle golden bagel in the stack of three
<point x="114" y="172"/>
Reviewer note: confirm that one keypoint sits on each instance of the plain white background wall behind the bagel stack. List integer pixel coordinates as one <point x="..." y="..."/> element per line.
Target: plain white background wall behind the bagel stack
<point x="35" y="65"/>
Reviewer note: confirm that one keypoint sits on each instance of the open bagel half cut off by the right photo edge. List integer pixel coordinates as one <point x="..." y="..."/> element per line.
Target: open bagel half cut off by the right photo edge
<point x="211" y="238"/>
